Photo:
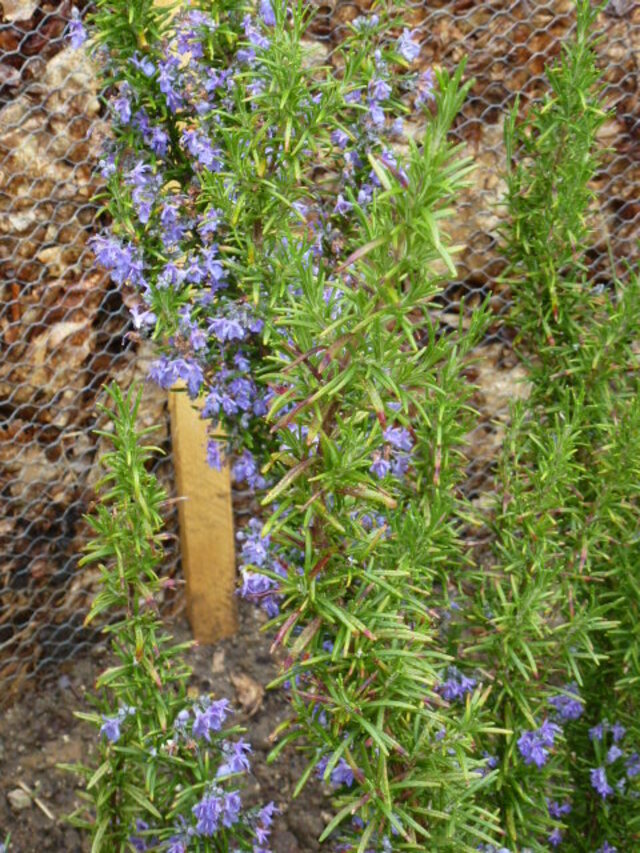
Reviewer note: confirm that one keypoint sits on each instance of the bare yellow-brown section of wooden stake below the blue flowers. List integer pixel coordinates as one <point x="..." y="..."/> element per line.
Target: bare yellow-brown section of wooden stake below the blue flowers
<point x="206" y="527"/>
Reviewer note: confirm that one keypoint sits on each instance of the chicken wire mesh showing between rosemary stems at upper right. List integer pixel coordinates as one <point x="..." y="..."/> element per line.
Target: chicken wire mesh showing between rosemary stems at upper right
<point x="508" y="43"/>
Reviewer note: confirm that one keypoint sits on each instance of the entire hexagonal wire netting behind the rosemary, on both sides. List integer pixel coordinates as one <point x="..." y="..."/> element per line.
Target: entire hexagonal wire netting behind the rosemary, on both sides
<point x="64" y="330"/>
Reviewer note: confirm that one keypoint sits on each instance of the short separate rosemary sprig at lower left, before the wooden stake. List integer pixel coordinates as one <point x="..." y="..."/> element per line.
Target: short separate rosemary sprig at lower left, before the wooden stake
<point x="169" y="768"/>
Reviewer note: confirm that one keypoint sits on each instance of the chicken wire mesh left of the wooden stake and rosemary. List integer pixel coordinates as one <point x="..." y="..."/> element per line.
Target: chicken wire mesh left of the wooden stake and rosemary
<point x="64" y="332"/>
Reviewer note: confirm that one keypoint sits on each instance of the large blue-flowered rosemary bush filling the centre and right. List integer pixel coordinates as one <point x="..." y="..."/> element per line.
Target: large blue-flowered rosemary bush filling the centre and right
<point x="285" y="239"/>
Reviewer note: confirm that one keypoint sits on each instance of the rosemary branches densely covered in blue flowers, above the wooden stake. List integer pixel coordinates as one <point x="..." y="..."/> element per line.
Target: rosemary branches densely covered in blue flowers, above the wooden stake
<point x="229" y="107"/>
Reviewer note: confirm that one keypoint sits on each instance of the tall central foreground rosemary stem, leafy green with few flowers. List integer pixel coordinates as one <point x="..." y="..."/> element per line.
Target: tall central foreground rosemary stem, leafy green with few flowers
<point x="352" y="386"/>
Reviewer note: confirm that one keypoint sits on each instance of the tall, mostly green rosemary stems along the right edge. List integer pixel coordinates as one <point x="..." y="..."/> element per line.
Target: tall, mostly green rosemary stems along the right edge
<point x="559" y="604"/>
